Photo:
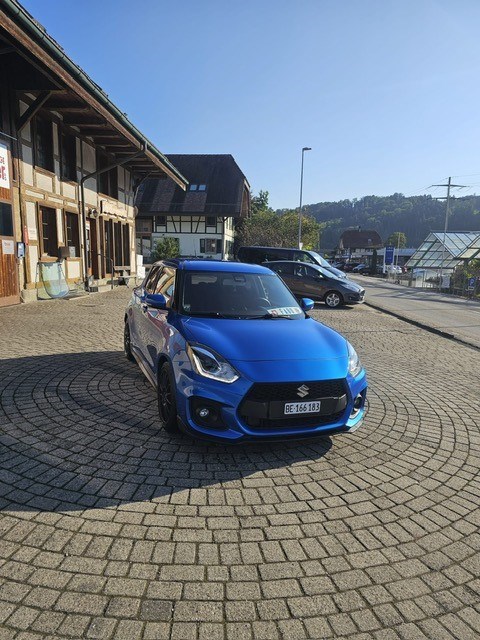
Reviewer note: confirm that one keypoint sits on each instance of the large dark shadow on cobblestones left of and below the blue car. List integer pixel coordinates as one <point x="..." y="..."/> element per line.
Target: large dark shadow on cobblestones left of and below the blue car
<point x="80" y="431"/>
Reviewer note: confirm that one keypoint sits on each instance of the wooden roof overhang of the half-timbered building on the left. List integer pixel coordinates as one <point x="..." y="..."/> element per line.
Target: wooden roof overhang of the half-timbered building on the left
<point x="67" y="90"/>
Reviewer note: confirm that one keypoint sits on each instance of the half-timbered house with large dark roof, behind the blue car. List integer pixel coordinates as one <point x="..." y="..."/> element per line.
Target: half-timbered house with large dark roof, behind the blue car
<point x="202" y="218"/>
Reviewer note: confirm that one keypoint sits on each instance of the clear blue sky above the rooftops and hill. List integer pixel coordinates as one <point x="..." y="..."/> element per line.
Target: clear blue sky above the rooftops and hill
<point x="386" y="92"/>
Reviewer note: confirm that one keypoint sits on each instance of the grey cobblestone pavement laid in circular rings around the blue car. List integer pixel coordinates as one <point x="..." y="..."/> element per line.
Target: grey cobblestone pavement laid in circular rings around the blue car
<point x="110" y="528"/>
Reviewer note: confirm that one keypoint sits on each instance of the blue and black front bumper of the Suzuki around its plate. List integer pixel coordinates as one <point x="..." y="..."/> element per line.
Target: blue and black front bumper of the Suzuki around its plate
<point x="236" y="416"/>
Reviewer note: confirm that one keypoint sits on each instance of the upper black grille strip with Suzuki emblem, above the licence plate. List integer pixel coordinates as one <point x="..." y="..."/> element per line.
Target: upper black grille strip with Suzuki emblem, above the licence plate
<point x="288" y="391"/>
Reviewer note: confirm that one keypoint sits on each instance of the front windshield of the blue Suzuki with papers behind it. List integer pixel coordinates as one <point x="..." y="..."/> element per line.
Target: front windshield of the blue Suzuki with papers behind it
<point x="234" y="295"/>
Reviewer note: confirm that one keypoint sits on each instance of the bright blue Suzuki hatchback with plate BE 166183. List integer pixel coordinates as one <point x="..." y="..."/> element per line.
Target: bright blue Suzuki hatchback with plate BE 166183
<point x="233" y="356"/>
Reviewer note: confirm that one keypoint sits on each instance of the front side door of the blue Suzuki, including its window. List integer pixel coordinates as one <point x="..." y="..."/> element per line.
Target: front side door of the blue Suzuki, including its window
<point x="156" y="327"/>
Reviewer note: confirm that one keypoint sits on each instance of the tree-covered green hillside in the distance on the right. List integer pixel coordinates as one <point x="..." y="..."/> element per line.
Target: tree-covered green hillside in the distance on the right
<point x="416" y="216"/>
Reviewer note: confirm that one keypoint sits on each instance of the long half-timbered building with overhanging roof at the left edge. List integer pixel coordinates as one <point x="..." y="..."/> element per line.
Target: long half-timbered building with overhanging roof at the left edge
<point x="70" y="162"/>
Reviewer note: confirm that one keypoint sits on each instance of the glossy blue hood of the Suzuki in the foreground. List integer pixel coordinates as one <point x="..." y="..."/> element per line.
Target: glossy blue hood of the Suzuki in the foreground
<point x="292" y="342"/>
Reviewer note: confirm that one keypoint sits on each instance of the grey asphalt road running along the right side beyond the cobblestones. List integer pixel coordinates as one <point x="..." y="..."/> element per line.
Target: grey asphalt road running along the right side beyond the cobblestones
<point x="455" y="316"/>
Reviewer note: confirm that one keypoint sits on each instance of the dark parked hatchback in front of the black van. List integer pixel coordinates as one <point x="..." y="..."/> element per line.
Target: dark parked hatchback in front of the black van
<point x="317" y="283"/>
